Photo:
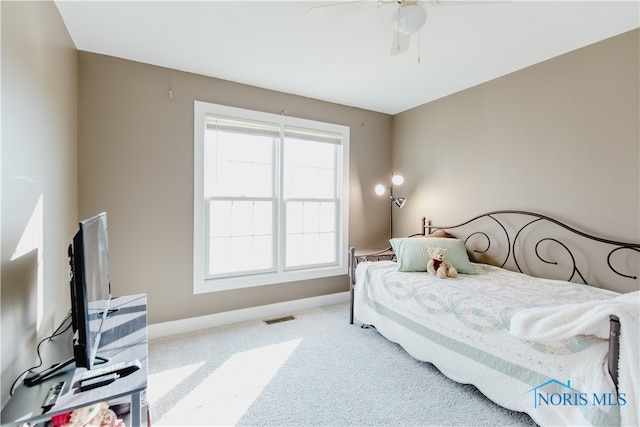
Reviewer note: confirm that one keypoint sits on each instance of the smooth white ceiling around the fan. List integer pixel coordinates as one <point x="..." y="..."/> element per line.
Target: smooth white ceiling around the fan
<point x="344" y="57"/>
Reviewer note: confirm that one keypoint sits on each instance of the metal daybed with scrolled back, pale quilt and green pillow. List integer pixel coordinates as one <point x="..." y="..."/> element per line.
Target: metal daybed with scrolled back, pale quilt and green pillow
<point x="524" y="321"/>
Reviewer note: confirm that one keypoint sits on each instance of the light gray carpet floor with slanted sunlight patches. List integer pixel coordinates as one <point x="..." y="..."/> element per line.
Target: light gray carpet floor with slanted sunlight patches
<point x="314" y="370"/>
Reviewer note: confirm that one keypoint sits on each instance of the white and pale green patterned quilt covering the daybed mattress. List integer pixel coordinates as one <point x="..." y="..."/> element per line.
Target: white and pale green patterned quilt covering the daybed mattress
<point x="462" y="326"/>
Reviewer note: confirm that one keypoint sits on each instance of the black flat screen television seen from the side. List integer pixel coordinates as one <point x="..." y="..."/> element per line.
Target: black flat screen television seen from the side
<point x="90" y="289"/>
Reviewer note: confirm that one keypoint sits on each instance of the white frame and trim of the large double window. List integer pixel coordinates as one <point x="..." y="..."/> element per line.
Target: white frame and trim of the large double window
<point x="202" y="284"/>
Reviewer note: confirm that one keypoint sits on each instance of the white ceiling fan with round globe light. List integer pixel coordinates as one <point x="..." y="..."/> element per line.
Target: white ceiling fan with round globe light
<point x="409" y="17"/>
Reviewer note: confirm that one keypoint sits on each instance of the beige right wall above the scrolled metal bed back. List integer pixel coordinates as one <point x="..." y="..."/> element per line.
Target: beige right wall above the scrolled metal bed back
<point x="559" y="138"/>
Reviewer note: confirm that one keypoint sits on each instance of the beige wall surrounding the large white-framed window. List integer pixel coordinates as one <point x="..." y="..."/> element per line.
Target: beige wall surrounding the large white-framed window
<point x="136" y="163"/>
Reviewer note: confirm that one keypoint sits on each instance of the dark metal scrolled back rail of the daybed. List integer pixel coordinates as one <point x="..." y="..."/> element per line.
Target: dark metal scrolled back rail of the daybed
<point x="516" y="233"/>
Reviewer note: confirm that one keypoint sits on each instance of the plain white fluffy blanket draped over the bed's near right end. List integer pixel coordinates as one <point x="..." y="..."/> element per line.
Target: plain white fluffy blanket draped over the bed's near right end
<point x="552" y="324"/>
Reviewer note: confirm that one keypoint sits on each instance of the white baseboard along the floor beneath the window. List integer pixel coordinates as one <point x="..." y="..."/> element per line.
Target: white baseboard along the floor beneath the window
<point x="164" y="329"/>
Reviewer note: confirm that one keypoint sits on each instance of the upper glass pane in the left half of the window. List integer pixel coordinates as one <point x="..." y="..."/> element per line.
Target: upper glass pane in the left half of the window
<point x="238" y="164"/>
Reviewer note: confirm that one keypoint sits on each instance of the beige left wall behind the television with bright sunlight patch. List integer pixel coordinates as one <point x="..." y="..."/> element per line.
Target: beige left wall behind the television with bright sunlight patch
<point x="39" y="206"/>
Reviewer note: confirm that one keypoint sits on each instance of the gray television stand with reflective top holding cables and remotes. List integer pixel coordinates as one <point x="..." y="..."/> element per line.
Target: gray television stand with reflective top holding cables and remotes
<point x="124" y="340"/>
